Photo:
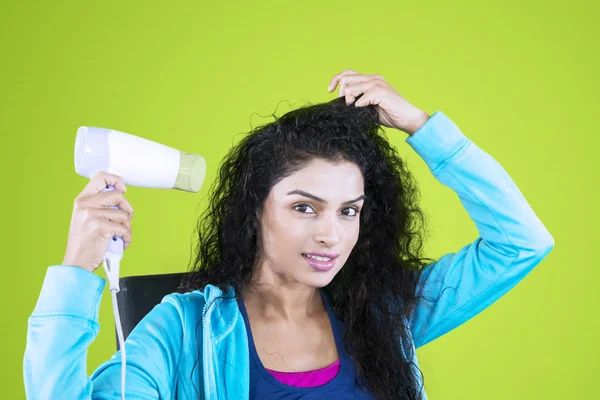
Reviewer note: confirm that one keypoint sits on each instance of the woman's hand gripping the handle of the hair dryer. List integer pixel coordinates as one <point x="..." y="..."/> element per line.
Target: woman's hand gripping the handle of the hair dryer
<point x="93" y="225"/>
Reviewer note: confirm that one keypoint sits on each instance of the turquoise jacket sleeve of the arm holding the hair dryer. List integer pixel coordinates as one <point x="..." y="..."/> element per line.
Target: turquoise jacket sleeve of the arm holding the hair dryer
<point x="65" y="322"/>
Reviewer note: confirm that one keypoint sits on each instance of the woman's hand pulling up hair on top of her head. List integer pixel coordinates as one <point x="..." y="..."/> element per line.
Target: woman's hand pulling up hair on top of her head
<point x="394" y="111"/>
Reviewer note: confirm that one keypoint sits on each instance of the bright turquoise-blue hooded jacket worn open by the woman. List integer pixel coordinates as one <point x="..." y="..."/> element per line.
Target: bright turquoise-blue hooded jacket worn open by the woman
<point x="194" y="345"/>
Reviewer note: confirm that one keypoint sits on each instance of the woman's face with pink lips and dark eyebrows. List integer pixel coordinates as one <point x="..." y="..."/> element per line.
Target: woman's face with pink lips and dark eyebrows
<point x="294" y="223"/>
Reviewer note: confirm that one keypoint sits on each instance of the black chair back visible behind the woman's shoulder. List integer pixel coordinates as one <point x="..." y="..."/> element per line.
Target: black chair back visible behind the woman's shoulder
<point x="139" y="295"/>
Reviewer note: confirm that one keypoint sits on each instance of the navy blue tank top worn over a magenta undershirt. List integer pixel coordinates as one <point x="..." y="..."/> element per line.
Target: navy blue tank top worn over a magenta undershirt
<point x="343" y="386"/>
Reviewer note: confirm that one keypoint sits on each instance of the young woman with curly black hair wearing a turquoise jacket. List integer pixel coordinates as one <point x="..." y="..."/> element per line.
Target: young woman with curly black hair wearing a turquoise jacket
<point x="308" y="281"/>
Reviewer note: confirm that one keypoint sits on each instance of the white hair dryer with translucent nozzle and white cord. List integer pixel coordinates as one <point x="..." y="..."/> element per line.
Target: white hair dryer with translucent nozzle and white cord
<point x="139" y="162"/>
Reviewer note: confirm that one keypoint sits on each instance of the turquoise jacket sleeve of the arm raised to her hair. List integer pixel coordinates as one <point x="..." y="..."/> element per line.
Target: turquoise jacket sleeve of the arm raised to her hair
<point x="512" y="239"/>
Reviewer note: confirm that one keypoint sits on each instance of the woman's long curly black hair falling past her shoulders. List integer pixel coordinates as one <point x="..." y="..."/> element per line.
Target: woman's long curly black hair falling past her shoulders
<point x="375" y="292"/>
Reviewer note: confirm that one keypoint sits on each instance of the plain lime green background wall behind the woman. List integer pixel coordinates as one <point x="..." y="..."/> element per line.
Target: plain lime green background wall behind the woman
<point x="520" y="78"/>
